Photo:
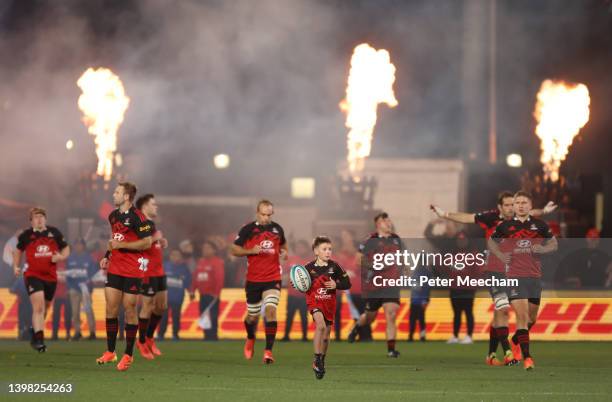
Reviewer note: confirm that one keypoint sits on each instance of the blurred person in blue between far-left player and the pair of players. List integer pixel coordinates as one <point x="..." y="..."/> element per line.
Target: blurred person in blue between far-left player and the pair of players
<point x="80" y="268"/>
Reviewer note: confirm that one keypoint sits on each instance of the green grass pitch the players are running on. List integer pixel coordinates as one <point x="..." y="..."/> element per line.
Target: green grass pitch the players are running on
<point x="216" y="371"/>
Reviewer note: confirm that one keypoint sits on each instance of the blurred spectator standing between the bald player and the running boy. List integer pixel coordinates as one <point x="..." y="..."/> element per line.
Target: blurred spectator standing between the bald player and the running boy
<point x="296" y="300"/>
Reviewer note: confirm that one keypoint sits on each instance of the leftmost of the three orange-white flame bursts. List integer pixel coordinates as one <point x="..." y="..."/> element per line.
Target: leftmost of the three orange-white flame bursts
<point x="103" y="103"/>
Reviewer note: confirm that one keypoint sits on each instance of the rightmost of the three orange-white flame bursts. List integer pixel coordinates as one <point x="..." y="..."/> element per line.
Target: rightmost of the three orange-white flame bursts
<point x="562" y="109"/>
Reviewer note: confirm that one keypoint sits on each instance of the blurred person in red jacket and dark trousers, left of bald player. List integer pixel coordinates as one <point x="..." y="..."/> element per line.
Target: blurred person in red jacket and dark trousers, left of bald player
<point x="208" y="279"/>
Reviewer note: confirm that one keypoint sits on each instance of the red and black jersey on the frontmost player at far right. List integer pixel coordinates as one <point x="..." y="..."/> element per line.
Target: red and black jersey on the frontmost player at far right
<point x="516" y="237"/>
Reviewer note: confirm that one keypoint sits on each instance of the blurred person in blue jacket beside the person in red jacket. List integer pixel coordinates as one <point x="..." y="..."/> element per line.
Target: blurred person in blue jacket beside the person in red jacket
<point x="178" y="279"/>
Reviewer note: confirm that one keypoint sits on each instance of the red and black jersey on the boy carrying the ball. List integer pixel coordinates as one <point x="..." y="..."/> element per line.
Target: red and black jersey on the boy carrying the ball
<point x="318" y="296"/>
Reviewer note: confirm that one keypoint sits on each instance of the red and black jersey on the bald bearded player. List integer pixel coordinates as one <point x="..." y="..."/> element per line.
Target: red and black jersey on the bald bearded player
<point x="265" y="266"/>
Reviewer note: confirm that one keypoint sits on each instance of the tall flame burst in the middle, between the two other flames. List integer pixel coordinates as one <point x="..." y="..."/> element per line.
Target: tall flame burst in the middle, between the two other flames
<point x="370" y="82"/>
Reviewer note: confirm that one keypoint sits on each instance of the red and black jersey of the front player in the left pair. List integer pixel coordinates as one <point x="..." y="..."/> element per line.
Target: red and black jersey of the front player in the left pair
<point x="129" y="226"/>
